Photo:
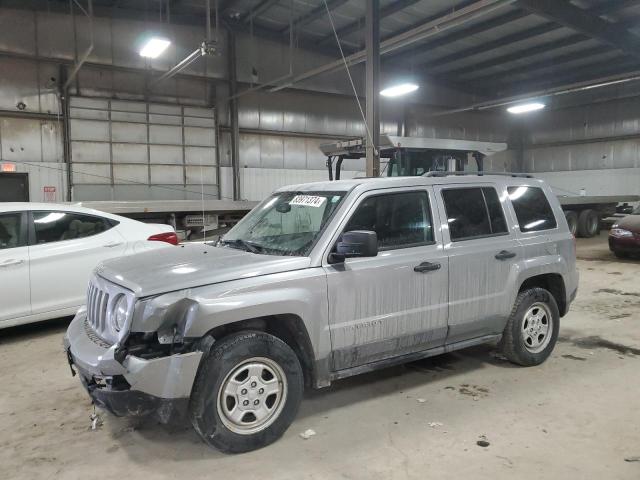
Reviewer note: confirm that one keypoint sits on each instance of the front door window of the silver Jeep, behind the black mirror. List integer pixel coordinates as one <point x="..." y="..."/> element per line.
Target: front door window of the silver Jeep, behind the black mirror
<point x="400" y="220"/>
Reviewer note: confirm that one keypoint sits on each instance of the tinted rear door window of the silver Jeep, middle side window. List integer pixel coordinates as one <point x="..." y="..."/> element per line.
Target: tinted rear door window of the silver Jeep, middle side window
<point x="473" y="212"/>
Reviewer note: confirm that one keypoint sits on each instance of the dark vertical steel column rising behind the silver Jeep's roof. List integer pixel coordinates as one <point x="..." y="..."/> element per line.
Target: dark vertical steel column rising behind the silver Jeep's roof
<point x="372" y="87"/>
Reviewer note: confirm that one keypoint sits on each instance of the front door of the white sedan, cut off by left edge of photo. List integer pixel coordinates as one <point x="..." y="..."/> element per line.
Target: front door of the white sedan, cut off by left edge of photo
<point x="14" y="266"/>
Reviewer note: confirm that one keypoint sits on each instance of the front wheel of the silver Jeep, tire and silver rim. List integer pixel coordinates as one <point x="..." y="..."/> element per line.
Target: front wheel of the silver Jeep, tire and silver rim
<point x="243" y="364"/>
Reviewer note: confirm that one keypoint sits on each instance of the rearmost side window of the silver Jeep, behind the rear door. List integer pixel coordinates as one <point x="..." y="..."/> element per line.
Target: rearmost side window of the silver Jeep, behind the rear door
<point x="532" y="209"/>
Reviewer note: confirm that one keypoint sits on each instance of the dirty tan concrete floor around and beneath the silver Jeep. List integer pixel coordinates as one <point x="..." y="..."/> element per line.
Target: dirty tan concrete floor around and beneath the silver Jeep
<point x="575" y="417"/>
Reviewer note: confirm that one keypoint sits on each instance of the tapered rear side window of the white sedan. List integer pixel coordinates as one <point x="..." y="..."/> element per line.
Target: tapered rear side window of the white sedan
<point x="52" y="226"/>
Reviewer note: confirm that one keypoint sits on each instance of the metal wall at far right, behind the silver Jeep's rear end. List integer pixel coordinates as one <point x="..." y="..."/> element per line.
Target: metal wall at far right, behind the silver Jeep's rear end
<point x="595" y="147"/>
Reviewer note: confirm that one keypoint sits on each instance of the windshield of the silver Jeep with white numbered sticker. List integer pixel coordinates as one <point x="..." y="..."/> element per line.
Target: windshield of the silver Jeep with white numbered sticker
<point x="287" y="223"/>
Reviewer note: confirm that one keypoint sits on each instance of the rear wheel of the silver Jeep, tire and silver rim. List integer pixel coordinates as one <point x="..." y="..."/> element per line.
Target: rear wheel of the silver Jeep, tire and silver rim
<point x="515" y="343"/>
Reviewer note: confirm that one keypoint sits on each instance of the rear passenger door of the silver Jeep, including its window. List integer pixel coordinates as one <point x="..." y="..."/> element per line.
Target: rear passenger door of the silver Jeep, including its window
<point x="483" y="254"/>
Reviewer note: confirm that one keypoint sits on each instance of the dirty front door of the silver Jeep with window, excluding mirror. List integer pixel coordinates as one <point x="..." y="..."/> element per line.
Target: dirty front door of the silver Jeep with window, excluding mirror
<point x="395" y="303"/>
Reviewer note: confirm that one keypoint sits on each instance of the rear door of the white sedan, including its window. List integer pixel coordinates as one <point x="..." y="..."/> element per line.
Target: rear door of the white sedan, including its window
<point x="64" y="249"/>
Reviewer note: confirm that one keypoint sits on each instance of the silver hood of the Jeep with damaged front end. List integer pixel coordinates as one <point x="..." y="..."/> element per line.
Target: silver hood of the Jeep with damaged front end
<point x="192" y="265"/>
